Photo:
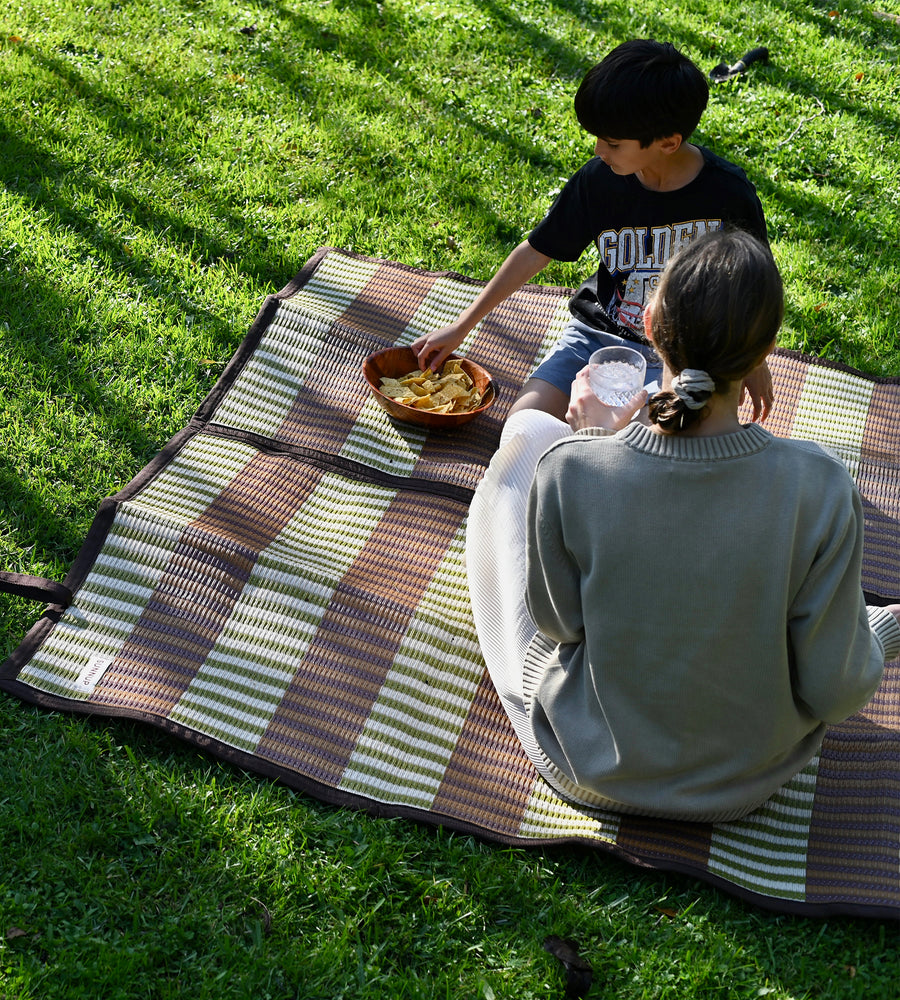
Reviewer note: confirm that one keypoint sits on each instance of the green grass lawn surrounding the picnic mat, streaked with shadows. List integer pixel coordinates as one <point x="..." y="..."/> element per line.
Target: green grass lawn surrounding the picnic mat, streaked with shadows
<point x="165" y="164"/>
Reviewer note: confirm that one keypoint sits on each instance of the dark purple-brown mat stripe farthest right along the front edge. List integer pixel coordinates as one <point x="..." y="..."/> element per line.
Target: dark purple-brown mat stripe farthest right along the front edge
<point x="855" y="826"/>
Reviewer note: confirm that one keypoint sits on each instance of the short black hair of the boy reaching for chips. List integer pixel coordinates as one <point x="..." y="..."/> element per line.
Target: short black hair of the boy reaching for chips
<point x="642" y="90"/>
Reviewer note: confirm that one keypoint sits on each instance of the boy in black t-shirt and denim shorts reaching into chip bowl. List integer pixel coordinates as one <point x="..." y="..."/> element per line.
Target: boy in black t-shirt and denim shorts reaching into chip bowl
<point x="647" y="192"/>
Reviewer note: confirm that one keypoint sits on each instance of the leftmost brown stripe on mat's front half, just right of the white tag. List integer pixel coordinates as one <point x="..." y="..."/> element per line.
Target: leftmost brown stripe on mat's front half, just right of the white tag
<point x="203" y="581"/>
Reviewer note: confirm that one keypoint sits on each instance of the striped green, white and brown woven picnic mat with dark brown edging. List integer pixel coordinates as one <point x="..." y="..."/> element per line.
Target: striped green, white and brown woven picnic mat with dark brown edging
<point x="284" y="586"/>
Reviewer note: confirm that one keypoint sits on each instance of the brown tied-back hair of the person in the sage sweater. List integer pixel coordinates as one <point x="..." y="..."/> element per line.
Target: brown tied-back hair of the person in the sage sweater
<point x="717" y="308"/>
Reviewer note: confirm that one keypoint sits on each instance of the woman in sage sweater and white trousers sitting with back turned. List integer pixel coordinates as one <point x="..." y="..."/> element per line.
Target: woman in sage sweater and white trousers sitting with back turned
<point x="671" y="611"/>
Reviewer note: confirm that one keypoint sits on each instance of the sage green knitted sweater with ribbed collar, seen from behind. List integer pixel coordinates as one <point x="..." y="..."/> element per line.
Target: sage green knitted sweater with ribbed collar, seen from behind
<point x="700" y="617"/>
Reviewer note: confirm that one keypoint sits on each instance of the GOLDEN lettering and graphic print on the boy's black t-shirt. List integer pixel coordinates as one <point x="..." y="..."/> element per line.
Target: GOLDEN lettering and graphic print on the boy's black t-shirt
<point x="635" y="258"/>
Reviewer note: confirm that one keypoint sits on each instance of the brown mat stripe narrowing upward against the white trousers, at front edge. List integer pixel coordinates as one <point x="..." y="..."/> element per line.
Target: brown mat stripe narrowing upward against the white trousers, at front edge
<point x="489" y="780"/>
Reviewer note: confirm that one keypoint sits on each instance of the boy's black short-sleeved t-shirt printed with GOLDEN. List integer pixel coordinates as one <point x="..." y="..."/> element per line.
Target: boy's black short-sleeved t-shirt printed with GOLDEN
<point x="636" y="232"/>
